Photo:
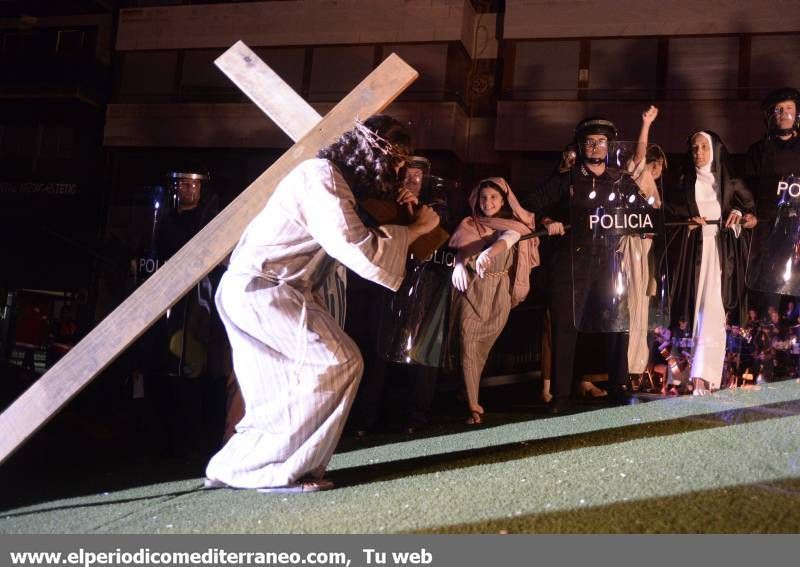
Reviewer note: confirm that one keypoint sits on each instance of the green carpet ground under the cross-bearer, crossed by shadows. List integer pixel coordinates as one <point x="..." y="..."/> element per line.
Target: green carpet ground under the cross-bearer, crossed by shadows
<point x="723" y="463"/>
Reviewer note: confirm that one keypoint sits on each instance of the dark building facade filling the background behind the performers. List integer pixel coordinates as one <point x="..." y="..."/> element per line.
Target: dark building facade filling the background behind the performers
<point x="100" y="98"/>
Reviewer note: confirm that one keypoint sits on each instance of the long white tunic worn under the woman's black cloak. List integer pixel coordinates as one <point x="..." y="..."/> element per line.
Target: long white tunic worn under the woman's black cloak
<point x="709" y="315"/>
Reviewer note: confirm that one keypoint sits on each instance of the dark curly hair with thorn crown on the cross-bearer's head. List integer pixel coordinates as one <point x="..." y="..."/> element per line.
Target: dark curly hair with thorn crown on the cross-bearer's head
<point x="366" y="162"/>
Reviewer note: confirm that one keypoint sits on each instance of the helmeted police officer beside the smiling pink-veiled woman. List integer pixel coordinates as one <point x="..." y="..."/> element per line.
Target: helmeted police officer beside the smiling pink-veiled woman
<point x="588" y="179"/>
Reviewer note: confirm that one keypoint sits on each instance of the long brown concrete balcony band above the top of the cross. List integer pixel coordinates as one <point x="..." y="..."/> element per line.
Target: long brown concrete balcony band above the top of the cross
<point x="292" y="22"/>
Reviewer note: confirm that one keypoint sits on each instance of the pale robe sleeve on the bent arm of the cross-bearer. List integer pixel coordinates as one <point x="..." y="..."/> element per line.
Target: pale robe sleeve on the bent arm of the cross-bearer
<point x="327" y="206"/>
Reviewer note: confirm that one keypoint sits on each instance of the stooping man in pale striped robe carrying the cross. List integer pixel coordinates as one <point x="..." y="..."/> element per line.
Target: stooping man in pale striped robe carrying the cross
<point x="298" y="371"/>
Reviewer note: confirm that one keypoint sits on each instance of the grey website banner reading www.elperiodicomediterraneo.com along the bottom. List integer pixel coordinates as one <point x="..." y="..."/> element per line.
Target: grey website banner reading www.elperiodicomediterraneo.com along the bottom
<point x="396" y="551"/>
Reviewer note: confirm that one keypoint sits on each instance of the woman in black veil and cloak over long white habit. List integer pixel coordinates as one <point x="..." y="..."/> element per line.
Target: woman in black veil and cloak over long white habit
<point x="709" y="278"/>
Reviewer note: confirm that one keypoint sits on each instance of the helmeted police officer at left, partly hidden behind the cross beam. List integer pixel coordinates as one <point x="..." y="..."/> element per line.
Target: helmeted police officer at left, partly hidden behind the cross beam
<point x="187" y="359"/>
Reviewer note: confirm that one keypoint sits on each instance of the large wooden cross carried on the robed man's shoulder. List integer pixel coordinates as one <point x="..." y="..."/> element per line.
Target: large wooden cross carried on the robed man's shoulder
<point x="212" y="244"/>
